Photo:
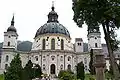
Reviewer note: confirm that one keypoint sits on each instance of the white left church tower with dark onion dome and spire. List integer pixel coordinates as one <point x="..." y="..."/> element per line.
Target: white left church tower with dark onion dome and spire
<point x="10" y="37"/>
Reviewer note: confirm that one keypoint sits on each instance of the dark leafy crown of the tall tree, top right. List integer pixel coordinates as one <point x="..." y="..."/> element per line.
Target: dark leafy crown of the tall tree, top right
<point x="94" y="12"/>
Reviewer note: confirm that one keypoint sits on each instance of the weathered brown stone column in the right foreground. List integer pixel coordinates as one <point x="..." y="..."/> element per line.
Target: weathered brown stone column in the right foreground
<point x="99" y="63"/>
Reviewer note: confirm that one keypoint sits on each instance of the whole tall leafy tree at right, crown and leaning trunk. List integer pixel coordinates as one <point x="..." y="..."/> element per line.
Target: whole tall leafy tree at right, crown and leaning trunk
<point x="100" y="12"/>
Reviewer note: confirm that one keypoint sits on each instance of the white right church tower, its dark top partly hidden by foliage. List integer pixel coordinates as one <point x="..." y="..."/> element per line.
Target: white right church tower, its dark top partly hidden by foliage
<point x="94" y="38"/>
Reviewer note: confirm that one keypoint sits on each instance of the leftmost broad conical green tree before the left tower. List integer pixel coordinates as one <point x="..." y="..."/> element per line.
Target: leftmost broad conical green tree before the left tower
<point x="14" y="71"/>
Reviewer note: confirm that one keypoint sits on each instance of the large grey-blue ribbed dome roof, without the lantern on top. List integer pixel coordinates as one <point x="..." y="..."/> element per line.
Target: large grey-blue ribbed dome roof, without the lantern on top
<point x="52" y="27"/>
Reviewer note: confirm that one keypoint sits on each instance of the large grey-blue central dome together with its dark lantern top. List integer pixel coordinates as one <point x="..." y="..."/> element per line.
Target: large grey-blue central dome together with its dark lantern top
<point x="52" y="25"/>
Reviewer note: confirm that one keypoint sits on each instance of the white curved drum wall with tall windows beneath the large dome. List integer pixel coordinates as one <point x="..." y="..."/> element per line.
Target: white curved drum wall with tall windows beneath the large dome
<point x="37" y="44"/>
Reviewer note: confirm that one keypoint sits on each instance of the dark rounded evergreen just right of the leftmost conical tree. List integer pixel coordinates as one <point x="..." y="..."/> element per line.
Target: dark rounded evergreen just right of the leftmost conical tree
<point x="28" y="71"/>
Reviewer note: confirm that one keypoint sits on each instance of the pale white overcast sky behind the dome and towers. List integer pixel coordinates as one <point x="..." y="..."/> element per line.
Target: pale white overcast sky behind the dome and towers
<point x="32" y="14"/>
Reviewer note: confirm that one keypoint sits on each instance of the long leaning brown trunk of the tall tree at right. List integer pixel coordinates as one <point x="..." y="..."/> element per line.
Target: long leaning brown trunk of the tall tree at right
<point x="111" y="55"/>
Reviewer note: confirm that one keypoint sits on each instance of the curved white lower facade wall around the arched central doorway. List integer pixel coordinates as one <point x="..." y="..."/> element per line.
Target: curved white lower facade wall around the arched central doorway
<point x="58" y="61"/>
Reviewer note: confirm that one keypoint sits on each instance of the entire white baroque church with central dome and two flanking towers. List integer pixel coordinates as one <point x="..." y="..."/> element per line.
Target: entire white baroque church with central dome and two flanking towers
<point x="52" y="48"/>
